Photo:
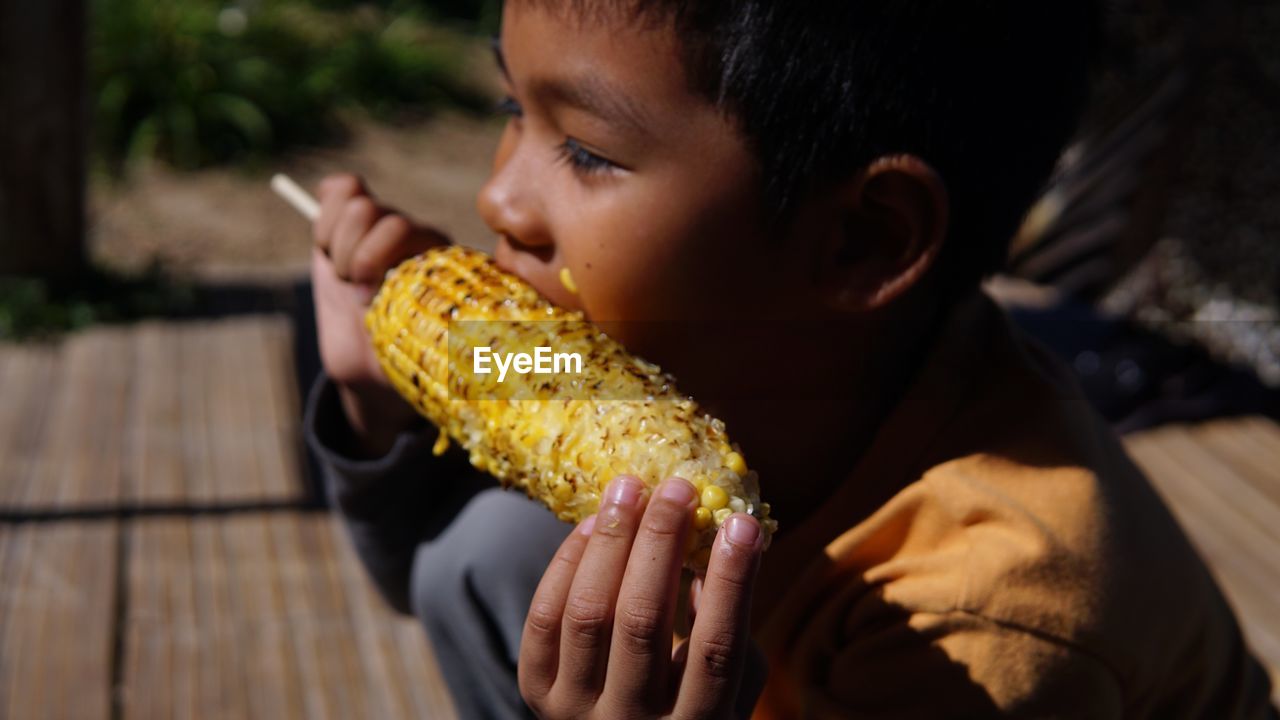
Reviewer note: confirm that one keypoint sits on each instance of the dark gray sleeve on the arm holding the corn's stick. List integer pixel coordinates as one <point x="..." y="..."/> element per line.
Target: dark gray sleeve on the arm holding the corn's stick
<point x="394" y="504"/>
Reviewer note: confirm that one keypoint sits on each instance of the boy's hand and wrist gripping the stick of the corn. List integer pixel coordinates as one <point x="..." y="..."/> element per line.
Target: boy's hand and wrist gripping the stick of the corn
<point x="356" y="243"/>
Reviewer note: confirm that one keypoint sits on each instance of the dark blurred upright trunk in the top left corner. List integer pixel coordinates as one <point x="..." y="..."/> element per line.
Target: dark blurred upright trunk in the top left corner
<point x="43" y="138"/>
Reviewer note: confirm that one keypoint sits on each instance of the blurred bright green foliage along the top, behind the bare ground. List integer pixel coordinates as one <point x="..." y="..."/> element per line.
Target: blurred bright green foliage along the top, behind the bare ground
<point x="202" y="83"/>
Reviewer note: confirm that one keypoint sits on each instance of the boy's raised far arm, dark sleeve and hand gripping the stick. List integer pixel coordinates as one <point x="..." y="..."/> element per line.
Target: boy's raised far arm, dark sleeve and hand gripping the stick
<point x="374" y="449"/>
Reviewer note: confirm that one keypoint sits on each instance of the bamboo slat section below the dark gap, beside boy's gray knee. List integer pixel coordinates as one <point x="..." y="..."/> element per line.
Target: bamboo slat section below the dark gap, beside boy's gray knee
<point x="266" y="616"/>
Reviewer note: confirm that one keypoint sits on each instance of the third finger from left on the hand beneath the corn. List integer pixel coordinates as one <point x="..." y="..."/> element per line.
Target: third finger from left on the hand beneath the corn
<point x="641" y="648"/>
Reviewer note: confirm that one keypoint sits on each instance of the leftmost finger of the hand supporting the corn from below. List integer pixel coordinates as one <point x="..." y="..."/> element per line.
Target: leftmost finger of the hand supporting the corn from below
<point x="540" y="644"/>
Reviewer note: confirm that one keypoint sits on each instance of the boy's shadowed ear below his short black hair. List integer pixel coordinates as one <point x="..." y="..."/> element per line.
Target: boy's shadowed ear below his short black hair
<point x="894" y="224"/>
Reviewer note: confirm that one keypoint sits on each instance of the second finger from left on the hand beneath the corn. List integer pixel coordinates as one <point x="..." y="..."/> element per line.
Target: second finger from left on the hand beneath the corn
<point x="593" y="599"/>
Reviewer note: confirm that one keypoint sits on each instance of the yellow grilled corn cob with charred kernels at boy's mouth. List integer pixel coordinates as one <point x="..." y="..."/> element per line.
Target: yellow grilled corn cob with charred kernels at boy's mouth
<point x="561" y="439"/>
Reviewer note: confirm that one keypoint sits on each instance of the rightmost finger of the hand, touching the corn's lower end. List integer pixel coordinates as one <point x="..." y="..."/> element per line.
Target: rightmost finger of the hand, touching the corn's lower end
<point x="719" y="645"/>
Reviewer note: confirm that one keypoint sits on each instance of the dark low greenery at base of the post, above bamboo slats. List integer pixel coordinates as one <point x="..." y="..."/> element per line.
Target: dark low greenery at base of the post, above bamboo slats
<point x="39" y="308"/>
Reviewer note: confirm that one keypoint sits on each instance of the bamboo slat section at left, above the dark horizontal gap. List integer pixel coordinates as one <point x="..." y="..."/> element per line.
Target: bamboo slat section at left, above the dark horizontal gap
<point x="156" y="414"/>
